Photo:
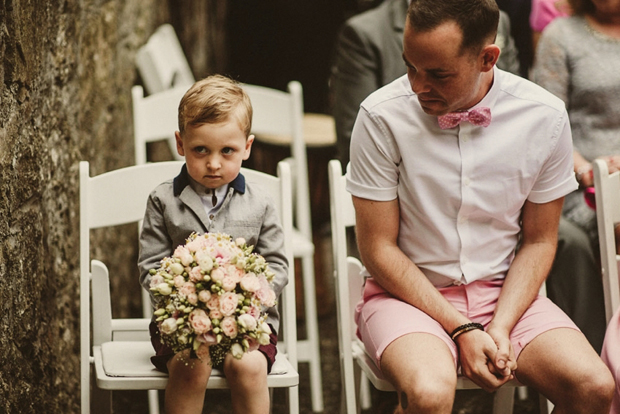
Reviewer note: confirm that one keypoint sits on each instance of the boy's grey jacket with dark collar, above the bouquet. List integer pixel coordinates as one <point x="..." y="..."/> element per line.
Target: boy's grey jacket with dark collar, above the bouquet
<point x="174" y="210"/>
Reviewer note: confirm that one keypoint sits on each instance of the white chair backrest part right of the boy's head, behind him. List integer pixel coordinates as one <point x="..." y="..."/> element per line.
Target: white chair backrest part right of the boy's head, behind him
<point x="278" y="118"/>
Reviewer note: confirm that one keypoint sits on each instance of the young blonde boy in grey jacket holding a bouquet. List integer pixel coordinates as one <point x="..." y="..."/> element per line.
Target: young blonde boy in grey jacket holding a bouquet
<point x="210" y="195"/>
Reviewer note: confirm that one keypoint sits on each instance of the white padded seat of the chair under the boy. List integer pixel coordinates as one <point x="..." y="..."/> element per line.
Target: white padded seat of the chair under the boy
<point x="127" y="365"/>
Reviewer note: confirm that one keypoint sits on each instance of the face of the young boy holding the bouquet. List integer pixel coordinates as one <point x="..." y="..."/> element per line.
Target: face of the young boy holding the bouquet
<point x="214" y="152"/>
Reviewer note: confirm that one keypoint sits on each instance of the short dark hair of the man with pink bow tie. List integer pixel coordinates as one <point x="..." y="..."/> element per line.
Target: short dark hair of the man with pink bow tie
<point x="478" y="19"/>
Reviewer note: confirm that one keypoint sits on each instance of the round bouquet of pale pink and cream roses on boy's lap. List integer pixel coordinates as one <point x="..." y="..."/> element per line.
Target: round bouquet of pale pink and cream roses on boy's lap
<point x="211" y="296"/>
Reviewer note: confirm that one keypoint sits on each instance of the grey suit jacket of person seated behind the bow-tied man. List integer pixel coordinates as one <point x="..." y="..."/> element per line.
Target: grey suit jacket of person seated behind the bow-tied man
<point x="368" y="55"/>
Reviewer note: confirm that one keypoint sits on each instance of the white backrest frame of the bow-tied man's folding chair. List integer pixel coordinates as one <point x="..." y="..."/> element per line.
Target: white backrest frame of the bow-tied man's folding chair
<point x="347" y="273"/>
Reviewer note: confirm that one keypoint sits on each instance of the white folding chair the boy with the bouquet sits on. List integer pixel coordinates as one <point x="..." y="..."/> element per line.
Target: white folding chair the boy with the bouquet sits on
<point x="121" y="348"/>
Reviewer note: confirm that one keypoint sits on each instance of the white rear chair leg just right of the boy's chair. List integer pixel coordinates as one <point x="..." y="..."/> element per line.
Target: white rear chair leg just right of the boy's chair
<point x="310" y="352"/>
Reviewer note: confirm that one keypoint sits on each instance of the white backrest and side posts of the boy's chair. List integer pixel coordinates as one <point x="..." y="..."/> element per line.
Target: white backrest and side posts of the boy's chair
<point x="120" y="197"/>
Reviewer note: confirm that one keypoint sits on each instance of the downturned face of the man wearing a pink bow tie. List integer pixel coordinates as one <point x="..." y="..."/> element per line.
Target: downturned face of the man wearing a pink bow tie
<point x="445" y="78"/>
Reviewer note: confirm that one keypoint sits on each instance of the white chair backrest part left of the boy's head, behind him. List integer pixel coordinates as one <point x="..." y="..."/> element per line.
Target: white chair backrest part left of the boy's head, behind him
<point x="155" y="119"/>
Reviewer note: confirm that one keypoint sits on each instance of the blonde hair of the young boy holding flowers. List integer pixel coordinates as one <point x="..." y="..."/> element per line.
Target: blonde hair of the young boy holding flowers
<point x="215" y="99"/>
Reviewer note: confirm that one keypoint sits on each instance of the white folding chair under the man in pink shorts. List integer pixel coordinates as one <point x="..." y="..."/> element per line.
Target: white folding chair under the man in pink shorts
<point x="356" y="364"/>
